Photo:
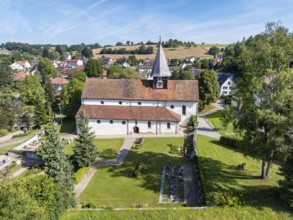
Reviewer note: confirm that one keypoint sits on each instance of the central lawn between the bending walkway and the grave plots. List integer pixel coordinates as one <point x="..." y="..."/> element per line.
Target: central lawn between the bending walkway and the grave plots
<point x="112" y="188"/>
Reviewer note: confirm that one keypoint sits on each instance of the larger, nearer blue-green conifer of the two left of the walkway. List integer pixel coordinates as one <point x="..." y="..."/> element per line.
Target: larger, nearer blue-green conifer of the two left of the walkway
<point x="56" y="162"/>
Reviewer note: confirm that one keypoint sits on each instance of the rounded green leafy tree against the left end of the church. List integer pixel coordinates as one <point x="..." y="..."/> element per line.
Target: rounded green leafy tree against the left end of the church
<point x="71" y="97"/>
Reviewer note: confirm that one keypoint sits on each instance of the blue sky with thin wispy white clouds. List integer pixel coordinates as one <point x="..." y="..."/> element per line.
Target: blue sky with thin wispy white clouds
<point x="110" y="21"/>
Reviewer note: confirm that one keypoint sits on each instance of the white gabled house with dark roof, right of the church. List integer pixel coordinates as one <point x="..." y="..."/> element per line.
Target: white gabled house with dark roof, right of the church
<point x="226" y="81"/>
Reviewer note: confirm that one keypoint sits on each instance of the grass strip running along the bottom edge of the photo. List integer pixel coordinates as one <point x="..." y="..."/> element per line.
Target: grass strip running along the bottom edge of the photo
<point x="264" y="211"/>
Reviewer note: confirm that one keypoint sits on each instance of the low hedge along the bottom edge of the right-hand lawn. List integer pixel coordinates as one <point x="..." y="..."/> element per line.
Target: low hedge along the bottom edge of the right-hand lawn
<point x="240" y="197"/>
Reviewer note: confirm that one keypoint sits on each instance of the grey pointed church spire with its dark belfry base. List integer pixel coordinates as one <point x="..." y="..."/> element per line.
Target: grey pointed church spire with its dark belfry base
<point x="160" y="71"/>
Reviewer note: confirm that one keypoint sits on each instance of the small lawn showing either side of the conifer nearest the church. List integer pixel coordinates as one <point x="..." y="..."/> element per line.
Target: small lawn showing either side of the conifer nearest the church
<point x="108" y="148"/>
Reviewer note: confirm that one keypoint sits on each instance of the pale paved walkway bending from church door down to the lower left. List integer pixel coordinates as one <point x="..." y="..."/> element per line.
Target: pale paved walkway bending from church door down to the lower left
<point x="119" y="159"/>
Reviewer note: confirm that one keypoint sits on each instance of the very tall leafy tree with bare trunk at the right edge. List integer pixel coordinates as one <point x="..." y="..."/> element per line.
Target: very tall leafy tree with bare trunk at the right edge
<point x="265" y="95"/>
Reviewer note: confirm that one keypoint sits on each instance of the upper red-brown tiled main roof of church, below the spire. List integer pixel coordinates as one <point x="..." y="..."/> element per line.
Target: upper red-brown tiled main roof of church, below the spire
<point x="125" y="89"/>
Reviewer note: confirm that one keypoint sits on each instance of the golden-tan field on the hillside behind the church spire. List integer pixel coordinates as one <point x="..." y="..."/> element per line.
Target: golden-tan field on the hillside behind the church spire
<point x="171" y="53"/>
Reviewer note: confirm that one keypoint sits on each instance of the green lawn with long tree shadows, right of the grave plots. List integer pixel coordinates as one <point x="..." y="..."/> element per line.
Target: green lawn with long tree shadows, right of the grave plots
<point x="218" y="166"/>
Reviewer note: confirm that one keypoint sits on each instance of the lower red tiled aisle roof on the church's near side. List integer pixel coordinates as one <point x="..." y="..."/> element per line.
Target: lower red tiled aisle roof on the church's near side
<point x="144" y="113"/>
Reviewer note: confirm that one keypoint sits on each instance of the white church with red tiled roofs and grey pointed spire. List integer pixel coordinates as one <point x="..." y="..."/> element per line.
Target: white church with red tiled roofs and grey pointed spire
<point x="127" y="106"/>
